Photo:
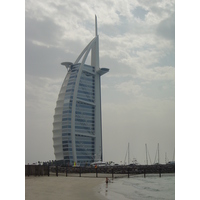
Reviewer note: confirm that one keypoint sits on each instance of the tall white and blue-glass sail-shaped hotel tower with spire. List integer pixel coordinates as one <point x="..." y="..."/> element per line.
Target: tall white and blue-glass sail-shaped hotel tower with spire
<point x="77" y="126"/>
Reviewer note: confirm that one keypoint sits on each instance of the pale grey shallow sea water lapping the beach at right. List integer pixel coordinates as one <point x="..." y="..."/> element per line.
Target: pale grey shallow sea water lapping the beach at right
<point x="140" y="188"/>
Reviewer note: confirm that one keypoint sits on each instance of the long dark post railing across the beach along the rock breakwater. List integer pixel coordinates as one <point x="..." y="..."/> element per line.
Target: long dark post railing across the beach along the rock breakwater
<point x="107" y="171"/>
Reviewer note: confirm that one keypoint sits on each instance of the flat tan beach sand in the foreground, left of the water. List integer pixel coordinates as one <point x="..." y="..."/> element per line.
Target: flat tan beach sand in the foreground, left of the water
<point x="62" y="188"/>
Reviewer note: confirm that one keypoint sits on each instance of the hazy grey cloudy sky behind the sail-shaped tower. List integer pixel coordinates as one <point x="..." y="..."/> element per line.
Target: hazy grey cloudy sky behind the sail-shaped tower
<point x="137" y="44"/>
